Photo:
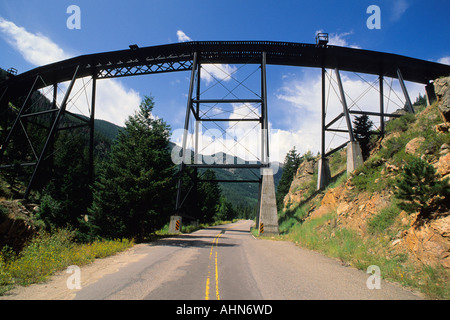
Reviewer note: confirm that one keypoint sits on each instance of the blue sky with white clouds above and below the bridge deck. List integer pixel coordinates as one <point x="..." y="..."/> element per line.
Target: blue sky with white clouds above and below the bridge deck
<point x="34" y="33"/>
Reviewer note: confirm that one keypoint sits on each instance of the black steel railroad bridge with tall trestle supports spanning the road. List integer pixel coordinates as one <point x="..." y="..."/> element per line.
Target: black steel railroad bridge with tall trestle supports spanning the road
<point x="190" y="56"/>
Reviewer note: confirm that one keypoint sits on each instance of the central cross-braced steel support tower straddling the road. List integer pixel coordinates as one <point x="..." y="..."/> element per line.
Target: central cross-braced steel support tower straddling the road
<point x="195" y="110"/>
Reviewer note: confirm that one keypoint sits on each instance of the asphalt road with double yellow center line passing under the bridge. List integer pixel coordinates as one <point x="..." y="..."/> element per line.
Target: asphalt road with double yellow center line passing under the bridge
<point x="227" y="263"/>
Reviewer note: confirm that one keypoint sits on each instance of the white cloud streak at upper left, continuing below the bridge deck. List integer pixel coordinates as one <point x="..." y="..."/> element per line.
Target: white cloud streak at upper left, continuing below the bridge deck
<point x="114" y="101"/>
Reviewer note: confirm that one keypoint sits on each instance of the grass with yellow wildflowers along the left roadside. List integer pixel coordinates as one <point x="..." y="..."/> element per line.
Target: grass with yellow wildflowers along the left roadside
<point x="48" y="253"/>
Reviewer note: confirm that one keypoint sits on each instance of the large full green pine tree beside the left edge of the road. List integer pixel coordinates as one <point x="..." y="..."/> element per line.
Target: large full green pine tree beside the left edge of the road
<point x="134" y="195"/>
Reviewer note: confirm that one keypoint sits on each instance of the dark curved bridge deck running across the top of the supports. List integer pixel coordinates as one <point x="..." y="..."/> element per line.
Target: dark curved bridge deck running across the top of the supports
<point x="178" y="57"/>
